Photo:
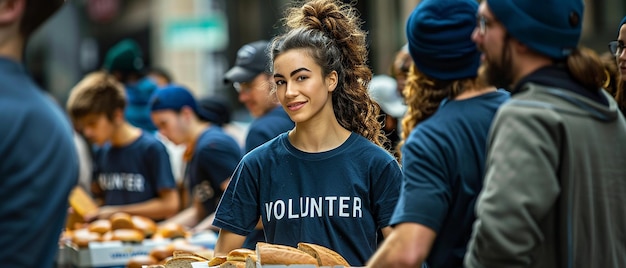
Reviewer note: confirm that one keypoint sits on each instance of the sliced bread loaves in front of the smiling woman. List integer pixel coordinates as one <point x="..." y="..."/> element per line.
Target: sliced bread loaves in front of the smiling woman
<point x="272" y="254"/>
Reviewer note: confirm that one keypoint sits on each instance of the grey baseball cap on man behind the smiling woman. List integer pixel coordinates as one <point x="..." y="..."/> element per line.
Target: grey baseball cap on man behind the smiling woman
<point x="252" y="59"/>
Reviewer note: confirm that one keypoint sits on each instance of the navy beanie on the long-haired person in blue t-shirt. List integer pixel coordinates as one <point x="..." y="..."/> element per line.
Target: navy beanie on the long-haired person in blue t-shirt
<point x="439" y="38"/>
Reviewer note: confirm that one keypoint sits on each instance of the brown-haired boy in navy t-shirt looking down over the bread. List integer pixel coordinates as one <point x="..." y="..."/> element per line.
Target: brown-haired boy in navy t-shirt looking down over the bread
<point x="132" y="172"/>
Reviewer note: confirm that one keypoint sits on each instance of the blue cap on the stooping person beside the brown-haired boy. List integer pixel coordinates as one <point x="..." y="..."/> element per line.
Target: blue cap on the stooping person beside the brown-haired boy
<point x="175" y="97"/>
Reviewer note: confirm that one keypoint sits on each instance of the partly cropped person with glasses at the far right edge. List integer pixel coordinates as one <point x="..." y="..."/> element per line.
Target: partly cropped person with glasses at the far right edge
<point x="616" y="48"/>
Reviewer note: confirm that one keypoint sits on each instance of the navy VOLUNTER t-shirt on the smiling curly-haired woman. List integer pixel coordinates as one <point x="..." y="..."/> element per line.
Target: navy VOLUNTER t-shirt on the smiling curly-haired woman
<point x="338" y="199"/>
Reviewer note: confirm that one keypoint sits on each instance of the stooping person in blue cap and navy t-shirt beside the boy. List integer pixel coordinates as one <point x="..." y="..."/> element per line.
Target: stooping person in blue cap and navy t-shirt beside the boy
<point x="211" y="155"/>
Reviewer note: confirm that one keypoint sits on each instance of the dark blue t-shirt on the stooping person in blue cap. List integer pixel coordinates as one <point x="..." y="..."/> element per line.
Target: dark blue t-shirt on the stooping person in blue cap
<point x="215" y="157"/>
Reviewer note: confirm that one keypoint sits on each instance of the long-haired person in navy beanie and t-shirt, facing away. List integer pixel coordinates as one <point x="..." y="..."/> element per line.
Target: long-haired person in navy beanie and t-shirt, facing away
<point x="444" y="132"/>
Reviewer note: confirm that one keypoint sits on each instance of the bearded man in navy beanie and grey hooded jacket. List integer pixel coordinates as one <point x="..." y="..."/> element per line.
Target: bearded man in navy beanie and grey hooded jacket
<point x="555" y="182"/>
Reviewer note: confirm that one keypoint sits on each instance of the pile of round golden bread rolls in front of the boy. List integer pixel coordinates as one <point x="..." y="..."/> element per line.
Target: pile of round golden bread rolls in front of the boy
<point x="123" y="227"/>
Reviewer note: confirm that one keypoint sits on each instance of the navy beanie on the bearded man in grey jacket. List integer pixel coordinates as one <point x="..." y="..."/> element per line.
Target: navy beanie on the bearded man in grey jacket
<point x="551" y="28"/>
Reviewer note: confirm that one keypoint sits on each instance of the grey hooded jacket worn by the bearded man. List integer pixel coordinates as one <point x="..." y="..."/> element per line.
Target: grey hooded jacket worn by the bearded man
<point x="555" y="185"/>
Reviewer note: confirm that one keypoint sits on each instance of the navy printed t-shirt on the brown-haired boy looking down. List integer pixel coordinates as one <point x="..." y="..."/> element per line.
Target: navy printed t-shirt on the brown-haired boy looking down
<point x="133" y="173"/>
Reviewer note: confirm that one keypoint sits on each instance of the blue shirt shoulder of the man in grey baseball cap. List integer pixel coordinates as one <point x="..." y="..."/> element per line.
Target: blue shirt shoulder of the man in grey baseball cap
<point x="268" y="127"/>
